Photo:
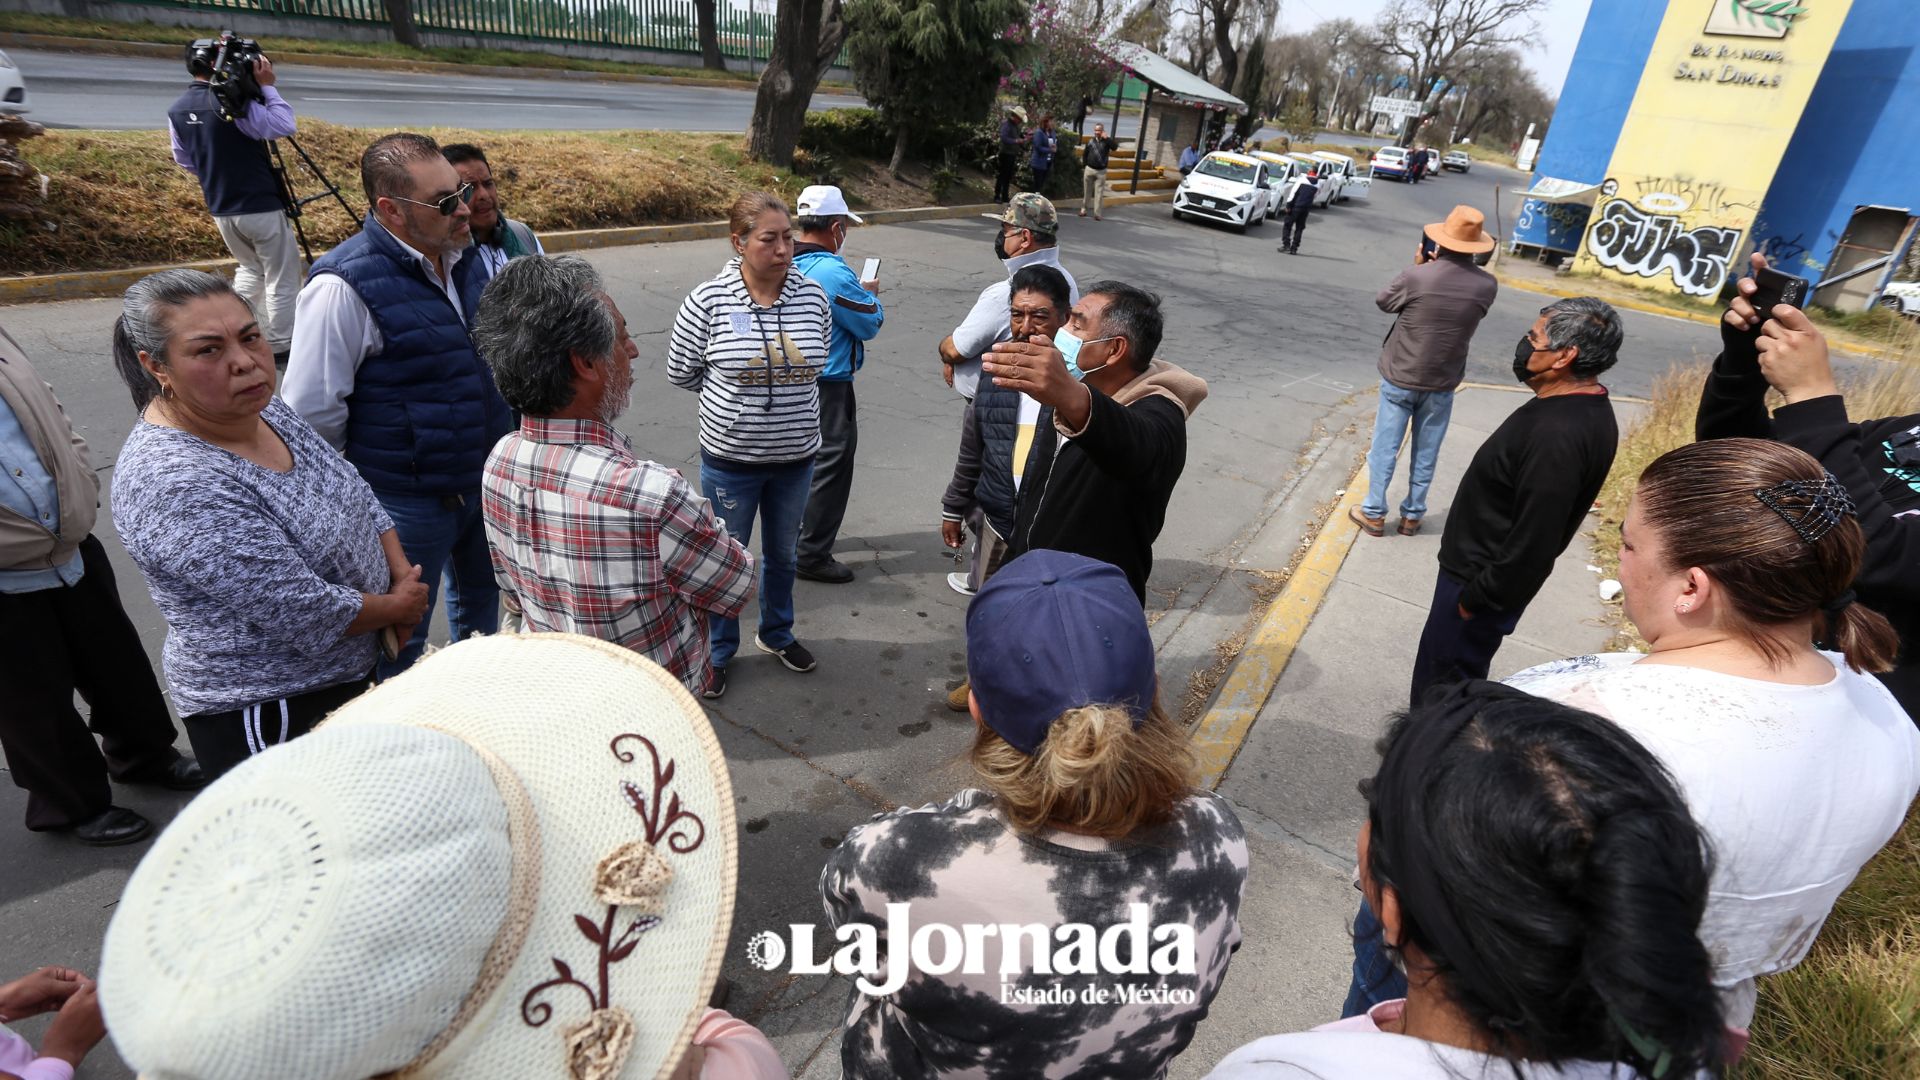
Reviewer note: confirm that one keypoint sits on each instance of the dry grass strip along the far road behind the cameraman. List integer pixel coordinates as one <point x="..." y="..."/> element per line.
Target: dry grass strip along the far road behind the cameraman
<point x="118" y="201"/>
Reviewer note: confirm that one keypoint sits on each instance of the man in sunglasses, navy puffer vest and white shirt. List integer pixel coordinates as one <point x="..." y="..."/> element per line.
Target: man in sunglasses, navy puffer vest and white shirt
<point x="387" y="372"/>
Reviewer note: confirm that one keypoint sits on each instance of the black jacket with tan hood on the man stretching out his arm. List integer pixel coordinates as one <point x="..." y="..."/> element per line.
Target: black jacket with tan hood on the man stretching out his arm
<point x="1105" y="493"/>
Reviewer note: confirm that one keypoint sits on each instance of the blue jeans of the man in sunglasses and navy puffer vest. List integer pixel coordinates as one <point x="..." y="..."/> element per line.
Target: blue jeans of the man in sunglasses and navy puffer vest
<point x="444" y="537"/>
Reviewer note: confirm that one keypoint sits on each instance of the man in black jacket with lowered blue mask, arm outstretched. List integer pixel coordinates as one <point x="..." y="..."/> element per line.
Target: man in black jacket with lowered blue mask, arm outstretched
<point x="1122" y="424"/>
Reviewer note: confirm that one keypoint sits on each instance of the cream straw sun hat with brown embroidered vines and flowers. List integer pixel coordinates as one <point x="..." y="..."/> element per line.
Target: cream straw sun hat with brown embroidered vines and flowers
<point x="517" y="860"/>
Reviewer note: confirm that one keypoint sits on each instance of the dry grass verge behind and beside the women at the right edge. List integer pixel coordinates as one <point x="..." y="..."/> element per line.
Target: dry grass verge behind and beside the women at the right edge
<point x="1852" y="1010"/>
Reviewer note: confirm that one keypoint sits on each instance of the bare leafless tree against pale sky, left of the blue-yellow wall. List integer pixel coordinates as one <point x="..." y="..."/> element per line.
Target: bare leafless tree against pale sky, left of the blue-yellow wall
<point x="1431" y="37"/>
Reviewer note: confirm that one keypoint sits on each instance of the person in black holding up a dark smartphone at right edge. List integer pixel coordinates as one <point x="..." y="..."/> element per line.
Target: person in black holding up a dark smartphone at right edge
<point x="1877" y="460"/>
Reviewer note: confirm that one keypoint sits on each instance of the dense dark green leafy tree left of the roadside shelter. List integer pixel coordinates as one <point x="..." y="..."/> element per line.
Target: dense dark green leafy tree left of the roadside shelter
<point x="932" y="62"/>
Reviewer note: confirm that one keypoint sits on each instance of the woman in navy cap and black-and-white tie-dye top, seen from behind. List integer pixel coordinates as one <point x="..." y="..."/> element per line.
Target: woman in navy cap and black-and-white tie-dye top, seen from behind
<point x="1076" y="914"/>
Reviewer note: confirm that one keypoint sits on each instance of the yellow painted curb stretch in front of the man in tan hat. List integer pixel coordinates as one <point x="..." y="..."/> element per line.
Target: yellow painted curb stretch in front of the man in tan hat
<point x="1259" y="670"/>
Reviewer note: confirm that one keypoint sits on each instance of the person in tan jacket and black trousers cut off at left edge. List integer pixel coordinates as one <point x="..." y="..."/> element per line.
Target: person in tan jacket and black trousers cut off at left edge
<point x="62" y="629"/>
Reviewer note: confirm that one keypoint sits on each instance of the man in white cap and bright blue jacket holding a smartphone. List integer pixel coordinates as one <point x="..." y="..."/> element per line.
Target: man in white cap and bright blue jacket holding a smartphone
<point x="821" y="222"/>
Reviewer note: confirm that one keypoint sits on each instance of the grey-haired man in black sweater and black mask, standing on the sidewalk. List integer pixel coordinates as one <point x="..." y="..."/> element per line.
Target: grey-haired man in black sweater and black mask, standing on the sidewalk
<point x="1525" y="493"/>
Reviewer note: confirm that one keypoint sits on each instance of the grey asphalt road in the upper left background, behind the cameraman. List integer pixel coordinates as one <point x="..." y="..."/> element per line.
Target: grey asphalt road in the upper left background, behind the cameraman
<point x="133" y="93"/>
